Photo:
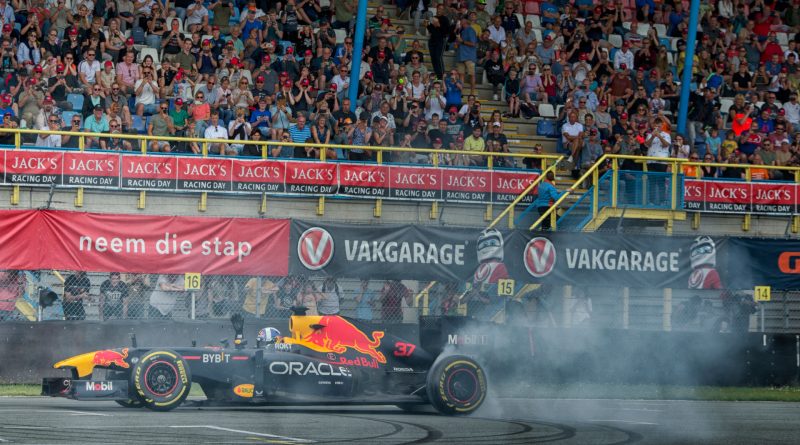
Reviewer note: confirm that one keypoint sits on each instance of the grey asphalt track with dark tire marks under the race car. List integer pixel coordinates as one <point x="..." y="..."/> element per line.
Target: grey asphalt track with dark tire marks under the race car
<point x="505" y="421"/>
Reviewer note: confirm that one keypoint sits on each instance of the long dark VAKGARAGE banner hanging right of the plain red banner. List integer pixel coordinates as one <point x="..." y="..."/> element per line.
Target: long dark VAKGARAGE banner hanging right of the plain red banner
<point x="453" y="254"/>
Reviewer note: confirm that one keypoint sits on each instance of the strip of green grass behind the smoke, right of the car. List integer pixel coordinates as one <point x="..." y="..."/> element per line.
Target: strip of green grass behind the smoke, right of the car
<point x="608" y="391"/>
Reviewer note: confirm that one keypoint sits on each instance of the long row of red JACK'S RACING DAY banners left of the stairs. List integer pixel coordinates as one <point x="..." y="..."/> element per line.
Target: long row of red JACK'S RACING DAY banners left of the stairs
<point x="256" y="176"/>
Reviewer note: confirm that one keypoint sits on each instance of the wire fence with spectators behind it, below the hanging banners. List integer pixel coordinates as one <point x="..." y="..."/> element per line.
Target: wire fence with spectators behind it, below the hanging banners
<point x="107" y="297"/>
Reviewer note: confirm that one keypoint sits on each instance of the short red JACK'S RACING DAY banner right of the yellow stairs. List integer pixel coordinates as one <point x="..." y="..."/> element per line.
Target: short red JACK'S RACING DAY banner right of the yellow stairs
<point x="763" y="197"/>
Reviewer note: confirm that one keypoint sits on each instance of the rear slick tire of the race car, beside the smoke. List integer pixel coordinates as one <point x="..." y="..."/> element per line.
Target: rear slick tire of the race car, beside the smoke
<point x="456" y="385"/>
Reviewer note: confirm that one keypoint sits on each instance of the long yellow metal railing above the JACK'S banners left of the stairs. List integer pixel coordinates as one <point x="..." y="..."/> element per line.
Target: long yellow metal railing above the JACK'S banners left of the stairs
<point x="204" y="144"/>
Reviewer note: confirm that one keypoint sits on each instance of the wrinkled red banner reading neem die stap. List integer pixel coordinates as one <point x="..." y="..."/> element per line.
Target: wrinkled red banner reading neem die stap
<point x="146" y="244"/>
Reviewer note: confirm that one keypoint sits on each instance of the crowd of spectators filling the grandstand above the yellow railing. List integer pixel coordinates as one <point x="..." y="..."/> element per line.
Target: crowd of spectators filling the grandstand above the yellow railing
<point x="280" y="70"/>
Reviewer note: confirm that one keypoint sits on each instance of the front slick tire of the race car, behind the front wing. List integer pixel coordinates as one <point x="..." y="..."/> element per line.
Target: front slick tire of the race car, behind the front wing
<point x="161" y="379"/>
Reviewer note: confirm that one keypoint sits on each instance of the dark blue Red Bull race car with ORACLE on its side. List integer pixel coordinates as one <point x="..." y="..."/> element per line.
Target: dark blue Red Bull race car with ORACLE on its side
<point x="324" y="360"/>
